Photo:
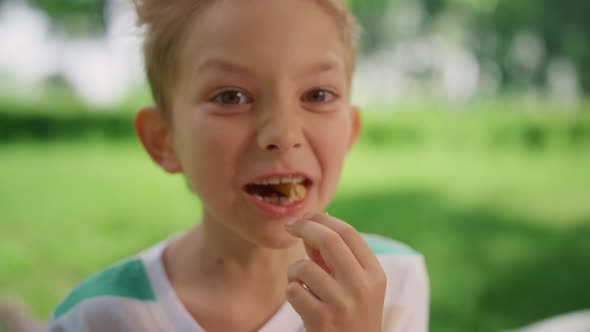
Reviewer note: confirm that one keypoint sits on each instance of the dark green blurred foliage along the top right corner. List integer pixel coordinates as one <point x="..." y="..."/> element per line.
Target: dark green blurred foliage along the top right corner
<point x="492" y="25"/>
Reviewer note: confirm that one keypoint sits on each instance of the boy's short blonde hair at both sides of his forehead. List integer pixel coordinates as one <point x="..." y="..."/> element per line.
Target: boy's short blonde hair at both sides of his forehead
<point x="165" y="23"/>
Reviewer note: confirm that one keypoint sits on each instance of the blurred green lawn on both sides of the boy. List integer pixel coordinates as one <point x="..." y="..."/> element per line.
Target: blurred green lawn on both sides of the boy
<point x="504" y="226"/>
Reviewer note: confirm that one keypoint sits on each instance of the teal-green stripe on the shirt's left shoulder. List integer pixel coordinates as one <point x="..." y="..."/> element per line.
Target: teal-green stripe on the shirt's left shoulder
<point x="127" y="279"/>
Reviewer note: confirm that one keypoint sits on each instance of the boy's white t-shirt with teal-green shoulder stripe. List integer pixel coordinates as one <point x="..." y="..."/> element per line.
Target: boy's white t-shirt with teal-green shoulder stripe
<point x="136" y="295"/>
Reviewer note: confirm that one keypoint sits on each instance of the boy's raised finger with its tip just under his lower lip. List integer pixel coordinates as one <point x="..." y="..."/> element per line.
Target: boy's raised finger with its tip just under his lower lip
<point x="335" y="253"/>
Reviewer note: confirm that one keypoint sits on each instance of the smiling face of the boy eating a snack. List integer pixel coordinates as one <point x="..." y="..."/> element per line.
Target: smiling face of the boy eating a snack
<point x="262" y="92"/>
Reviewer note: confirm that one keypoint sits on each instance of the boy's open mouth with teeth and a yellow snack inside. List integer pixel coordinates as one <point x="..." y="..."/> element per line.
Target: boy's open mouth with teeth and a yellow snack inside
<point x="280" y="190"/>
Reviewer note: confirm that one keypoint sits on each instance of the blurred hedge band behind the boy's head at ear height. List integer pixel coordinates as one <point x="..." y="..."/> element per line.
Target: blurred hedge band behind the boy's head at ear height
<point x="496" y="125"/>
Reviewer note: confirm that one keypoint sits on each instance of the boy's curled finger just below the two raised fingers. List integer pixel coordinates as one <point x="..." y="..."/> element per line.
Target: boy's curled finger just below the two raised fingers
<point x="319" y="283"/>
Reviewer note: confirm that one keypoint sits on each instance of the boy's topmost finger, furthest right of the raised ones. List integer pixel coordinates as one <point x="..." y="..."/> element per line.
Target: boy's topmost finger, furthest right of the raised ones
<point x="353" y="239"/>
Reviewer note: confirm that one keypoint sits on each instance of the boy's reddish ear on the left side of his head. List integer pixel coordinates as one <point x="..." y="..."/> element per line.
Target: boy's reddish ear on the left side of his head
<point x="154" y="133"/>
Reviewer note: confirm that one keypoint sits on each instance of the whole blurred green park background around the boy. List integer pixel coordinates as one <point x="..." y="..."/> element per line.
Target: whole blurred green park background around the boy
<point x="475" y="151"/>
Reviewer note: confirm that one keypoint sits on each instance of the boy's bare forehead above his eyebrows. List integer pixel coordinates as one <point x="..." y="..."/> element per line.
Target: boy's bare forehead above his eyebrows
<point x="259" y="35"/>
